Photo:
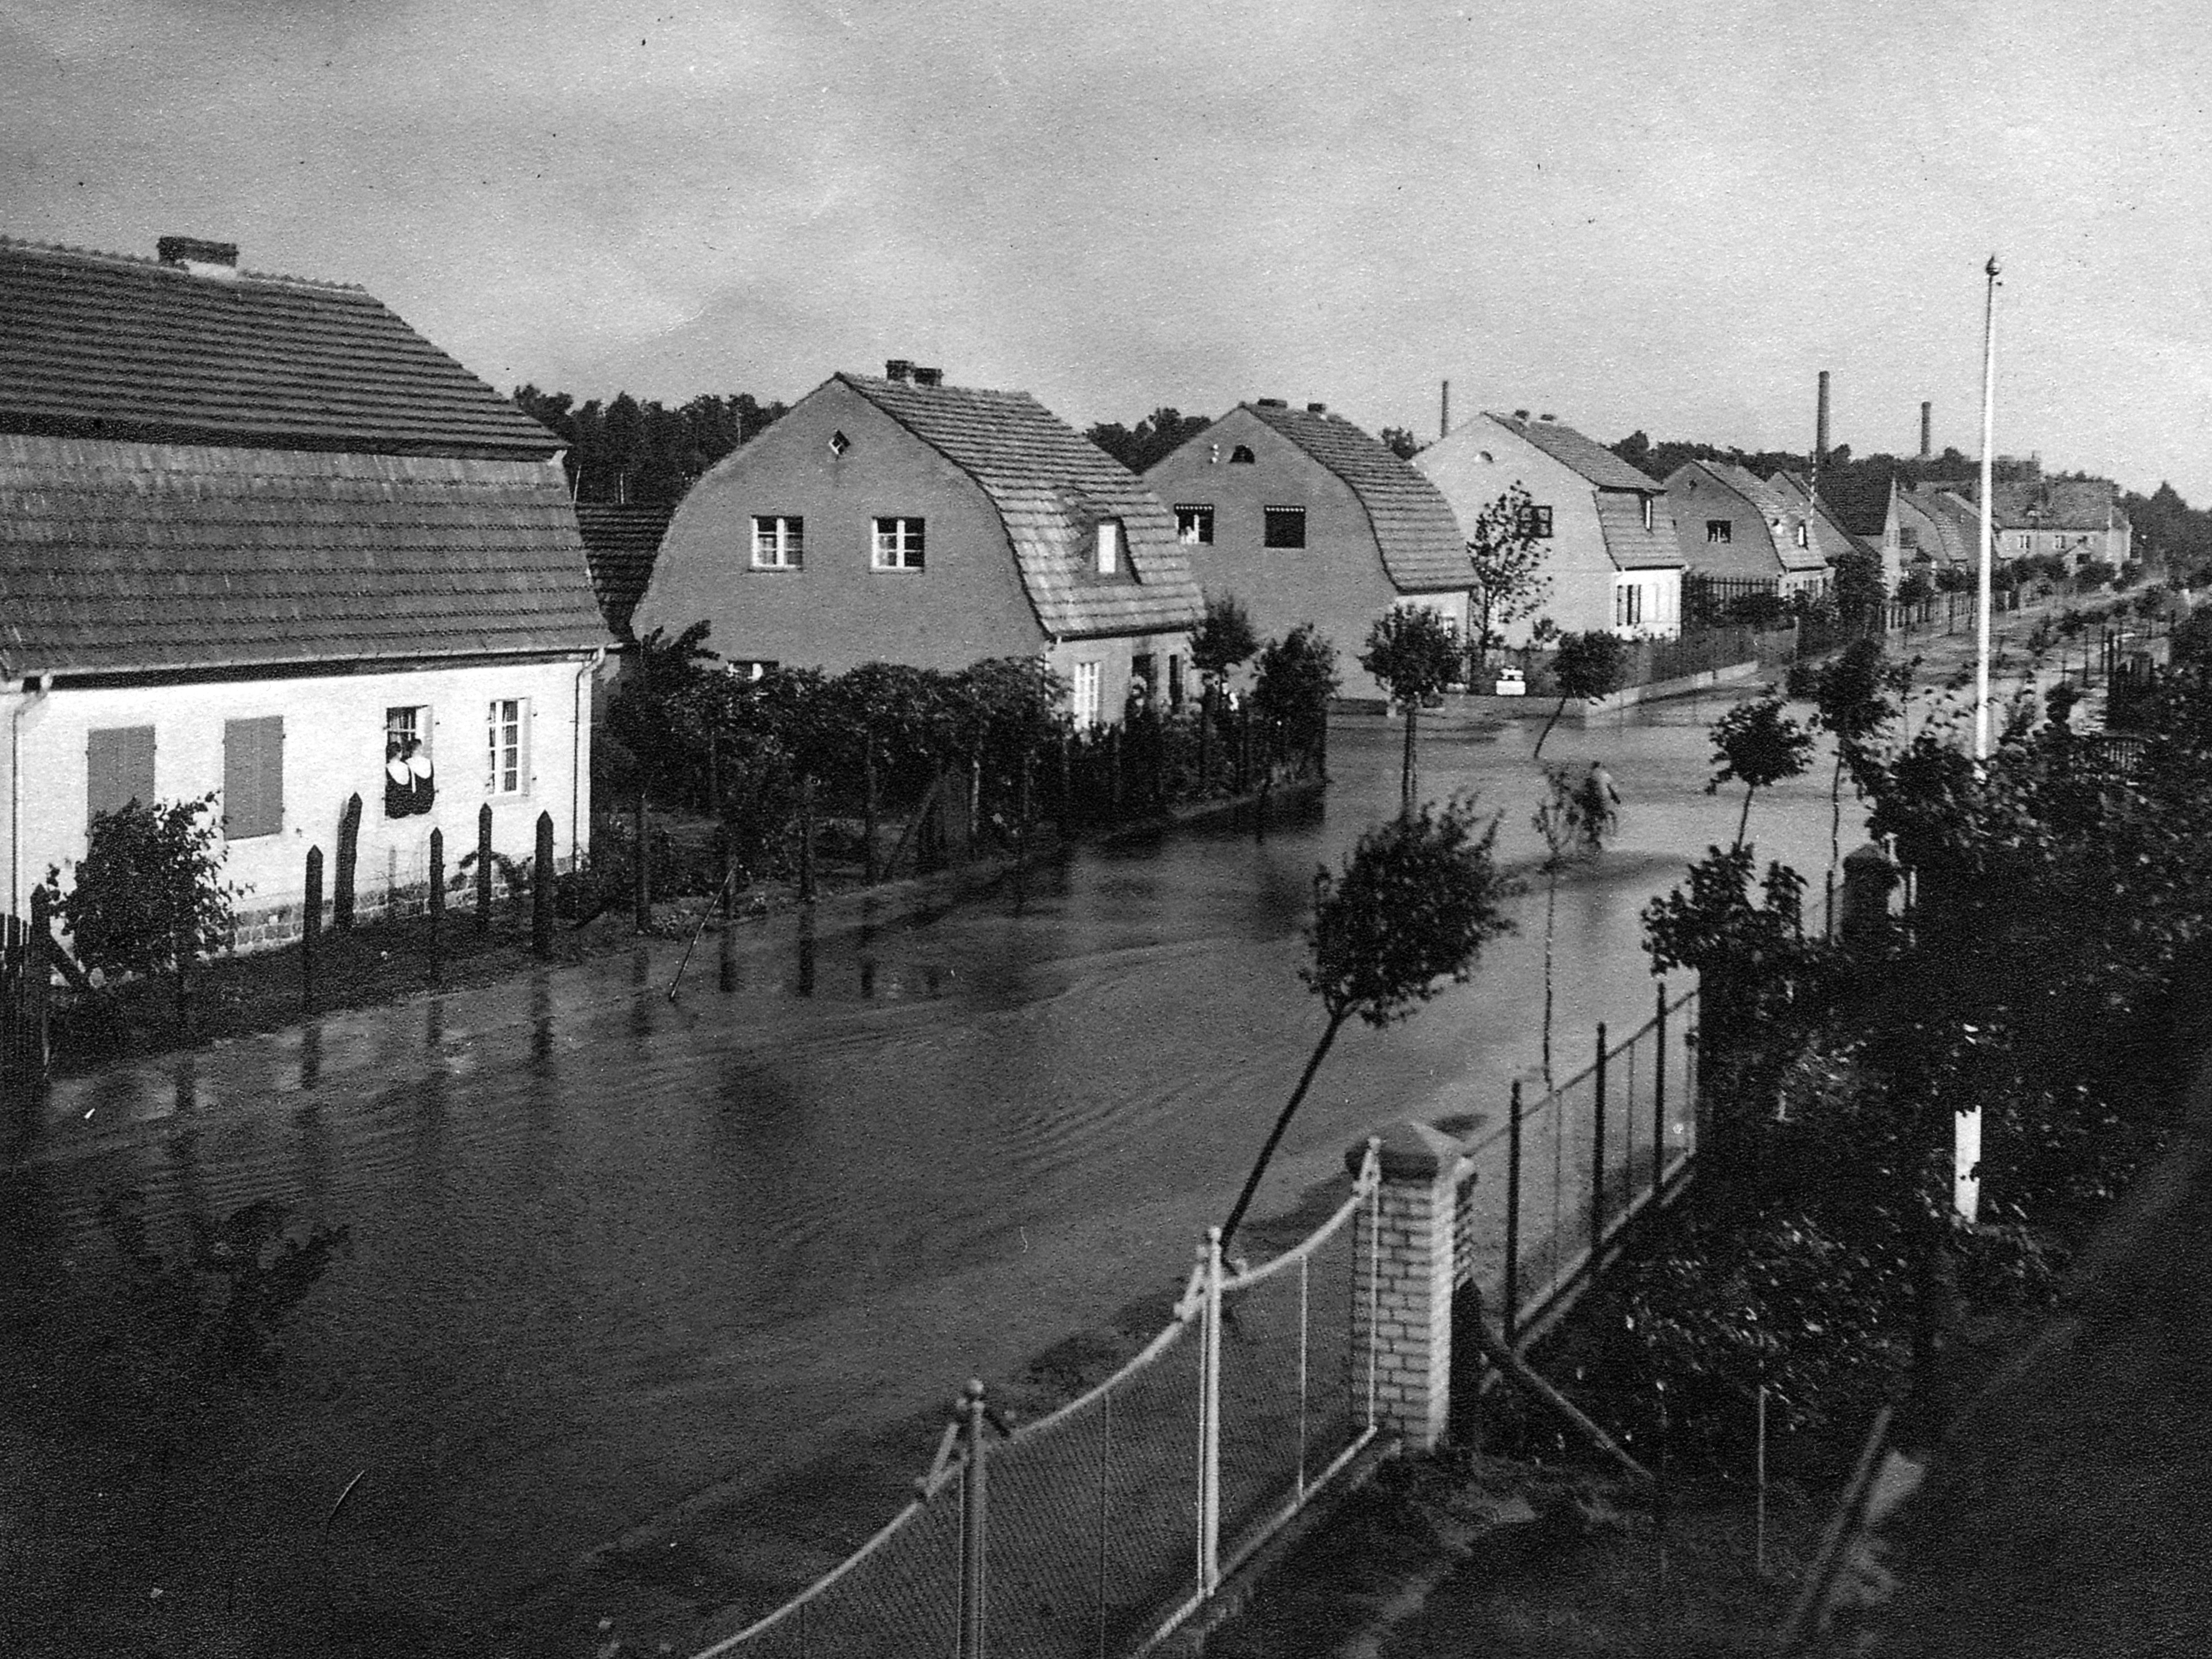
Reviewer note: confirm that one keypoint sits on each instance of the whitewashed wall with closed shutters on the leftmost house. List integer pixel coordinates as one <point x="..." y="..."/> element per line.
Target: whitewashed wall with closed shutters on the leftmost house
<point x="333" y="747"/>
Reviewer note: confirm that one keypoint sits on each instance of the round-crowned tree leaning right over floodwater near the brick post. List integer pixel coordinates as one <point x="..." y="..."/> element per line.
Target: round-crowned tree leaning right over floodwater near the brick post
<point x="1410" y="915"/>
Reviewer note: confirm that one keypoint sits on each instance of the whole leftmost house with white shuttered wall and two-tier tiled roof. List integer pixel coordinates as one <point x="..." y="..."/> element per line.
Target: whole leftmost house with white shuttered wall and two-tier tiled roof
<point x="264" y="541"/>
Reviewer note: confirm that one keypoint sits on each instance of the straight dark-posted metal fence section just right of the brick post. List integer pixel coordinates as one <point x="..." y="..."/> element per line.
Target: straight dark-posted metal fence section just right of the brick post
<point x="1580" y="1162"/>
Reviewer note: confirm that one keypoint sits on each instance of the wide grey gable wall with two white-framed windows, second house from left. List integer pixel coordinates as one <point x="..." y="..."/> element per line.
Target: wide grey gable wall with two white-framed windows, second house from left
<point x="837" y="612"/>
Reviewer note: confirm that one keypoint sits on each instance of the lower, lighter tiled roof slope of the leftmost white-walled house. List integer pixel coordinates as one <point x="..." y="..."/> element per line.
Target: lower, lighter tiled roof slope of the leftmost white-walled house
<point x="125" y="556"/>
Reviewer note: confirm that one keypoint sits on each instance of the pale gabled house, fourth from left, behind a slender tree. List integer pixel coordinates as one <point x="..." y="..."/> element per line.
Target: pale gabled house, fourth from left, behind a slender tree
<point x="1605" y="528"/>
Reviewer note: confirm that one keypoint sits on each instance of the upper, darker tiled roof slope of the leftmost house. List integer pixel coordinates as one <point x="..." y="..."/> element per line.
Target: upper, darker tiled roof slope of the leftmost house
<point x="101" y="346"/>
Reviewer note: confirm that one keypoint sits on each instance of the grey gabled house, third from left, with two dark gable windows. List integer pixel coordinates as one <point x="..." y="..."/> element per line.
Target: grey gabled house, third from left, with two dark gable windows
<point x="1306" y="519"/>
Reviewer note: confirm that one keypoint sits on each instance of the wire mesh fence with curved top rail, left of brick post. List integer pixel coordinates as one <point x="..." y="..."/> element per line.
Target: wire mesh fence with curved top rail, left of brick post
<point x="1105" y="1525"/>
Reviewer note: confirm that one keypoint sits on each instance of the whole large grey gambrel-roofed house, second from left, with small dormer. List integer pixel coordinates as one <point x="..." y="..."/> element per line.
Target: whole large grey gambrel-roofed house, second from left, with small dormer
<point x="908" y="521"/>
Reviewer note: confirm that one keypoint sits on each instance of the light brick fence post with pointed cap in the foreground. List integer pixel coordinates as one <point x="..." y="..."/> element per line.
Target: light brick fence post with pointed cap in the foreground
<point x="1410" y="1240"/>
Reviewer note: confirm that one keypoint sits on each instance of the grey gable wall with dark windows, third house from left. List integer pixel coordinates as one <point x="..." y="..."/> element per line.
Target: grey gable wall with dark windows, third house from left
<point x="1337" y="581"/>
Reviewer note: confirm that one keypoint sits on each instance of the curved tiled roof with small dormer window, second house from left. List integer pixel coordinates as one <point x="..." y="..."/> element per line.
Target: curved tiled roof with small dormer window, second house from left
<point x="1052" y="490"/>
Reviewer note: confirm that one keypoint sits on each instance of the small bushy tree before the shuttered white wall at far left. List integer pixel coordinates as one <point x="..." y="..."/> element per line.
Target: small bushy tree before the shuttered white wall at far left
<point x="149" y="884"/>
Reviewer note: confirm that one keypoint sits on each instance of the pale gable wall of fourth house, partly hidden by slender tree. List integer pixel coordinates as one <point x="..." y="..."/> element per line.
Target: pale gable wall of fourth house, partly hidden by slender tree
<point x="1483" y="461"/>
